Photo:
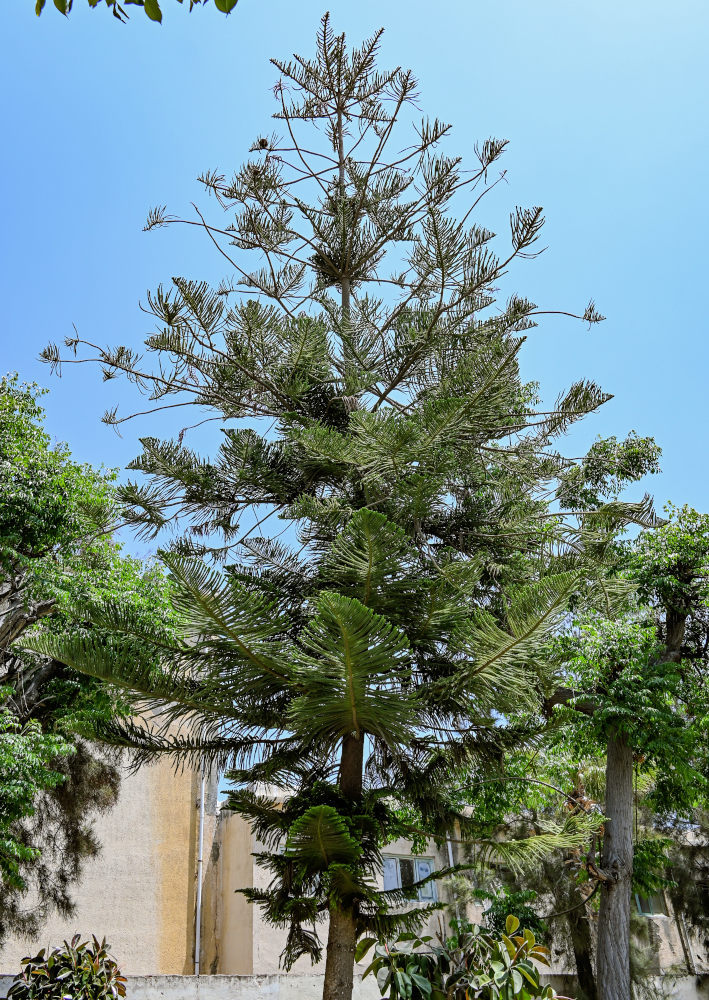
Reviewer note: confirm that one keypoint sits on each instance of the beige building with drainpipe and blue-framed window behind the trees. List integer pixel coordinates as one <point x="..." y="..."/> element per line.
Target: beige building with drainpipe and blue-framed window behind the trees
<point x="141" y="892"/>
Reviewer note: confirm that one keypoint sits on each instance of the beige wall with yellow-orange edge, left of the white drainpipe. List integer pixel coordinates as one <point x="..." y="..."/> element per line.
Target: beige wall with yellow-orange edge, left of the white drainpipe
<point x="140" y="891"/>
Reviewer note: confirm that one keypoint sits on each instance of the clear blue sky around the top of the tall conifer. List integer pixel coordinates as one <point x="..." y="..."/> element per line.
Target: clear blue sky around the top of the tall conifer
<point x="604" y="104"/>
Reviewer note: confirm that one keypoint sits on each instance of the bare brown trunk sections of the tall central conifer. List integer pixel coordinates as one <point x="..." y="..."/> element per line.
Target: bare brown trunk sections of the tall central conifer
<point x="342" y="933"/>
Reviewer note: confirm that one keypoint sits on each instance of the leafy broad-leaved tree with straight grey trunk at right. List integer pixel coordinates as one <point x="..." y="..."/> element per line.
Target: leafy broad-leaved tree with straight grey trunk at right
<point x="635" y="685"/>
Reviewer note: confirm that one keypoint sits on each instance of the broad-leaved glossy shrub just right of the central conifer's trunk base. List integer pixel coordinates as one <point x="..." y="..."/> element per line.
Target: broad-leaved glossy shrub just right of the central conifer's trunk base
<point x="470" y="965"/>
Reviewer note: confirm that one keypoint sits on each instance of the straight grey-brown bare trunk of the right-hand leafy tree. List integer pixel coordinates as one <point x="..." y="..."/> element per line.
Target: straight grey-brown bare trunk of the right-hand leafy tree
<point x="617" y="864"/>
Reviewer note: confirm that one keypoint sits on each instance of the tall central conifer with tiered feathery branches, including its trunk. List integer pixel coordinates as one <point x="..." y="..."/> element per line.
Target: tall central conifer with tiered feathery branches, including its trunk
<point x="368" y="392"/>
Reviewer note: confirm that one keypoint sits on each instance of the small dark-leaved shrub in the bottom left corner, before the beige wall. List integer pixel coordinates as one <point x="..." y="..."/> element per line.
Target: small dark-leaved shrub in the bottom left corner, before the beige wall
<point x="79" y="970"/>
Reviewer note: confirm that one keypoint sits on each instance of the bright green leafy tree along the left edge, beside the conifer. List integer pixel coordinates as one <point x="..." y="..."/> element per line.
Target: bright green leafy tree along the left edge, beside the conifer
<point x="55" y="551"/>
